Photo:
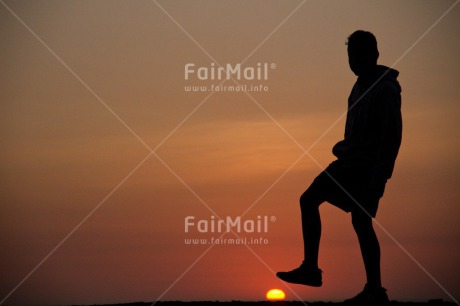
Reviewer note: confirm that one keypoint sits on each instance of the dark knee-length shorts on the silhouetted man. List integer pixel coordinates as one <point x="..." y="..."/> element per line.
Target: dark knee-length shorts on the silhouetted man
<point x="349" y="189"/>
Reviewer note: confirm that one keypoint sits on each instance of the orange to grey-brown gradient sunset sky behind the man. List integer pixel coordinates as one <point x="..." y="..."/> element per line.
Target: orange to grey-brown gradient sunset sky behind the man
<point x="98" y="85"/>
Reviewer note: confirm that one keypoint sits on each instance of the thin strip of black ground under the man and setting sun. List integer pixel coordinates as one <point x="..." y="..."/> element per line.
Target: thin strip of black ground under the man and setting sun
<point x="282" y="303"/>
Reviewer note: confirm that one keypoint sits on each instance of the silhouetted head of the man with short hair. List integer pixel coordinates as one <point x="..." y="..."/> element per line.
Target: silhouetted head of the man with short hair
<point x="362" y="52"/>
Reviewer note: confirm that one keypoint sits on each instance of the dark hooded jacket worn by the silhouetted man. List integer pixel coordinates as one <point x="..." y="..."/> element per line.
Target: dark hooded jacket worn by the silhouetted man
<point x="373" y="128"/>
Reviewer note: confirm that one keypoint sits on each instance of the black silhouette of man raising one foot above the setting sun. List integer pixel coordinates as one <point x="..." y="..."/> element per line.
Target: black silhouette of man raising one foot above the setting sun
<point x="355" y="182"/>
